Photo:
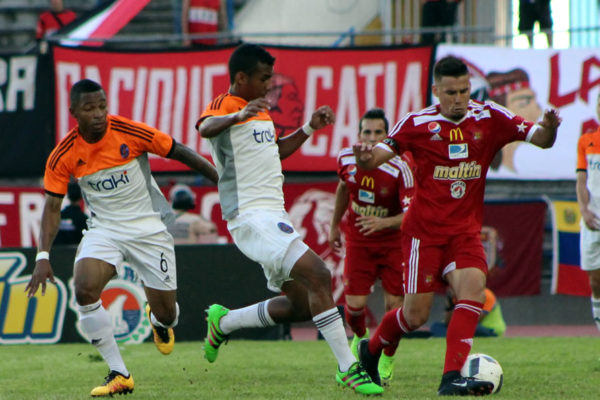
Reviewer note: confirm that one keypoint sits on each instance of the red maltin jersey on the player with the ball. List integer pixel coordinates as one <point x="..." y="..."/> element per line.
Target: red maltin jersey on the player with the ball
<point x="452" y="159"/>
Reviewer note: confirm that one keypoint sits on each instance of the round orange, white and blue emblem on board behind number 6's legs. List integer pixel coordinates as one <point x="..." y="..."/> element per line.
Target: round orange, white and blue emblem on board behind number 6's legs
<point x="124" y="300"/>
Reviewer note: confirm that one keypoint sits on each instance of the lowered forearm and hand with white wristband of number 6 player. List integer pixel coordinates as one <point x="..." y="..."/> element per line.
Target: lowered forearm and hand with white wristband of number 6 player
<point x="49" y="228"/>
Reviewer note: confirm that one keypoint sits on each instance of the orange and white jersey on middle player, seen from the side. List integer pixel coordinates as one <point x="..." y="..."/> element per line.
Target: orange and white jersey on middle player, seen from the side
<point x="247" y="159"/>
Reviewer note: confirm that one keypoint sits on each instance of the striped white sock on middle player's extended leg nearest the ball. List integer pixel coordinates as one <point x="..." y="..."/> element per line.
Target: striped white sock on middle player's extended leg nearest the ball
<point x="331" y="326"/>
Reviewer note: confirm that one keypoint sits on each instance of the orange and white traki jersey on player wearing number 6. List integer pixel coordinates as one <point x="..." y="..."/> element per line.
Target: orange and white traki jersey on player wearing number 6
<point x="114" y="175"/>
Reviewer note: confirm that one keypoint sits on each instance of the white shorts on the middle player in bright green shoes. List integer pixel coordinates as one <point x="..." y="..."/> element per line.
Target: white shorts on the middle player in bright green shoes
<point x="268" y="238"/>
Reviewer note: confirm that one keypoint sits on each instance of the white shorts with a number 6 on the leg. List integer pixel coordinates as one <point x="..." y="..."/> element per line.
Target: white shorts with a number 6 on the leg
<point x="152" y="256"/>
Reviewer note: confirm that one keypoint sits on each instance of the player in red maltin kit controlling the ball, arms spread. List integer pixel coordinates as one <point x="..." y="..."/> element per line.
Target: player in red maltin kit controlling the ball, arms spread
<point x="452" y="144"/>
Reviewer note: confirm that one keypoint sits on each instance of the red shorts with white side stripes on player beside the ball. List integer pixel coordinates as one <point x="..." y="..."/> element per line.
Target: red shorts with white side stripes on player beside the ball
<point x="426" y="263"/>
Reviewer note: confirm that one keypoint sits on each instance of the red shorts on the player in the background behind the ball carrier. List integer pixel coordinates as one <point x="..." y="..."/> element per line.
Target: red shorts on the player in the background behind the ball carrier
<point x="364" y="264"/>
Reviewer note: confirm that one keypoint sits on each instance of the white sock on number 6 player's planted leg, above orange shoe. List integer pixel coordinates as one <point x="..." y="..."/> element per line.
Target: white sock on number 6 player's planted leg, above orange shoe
<point x="96" y="324"/>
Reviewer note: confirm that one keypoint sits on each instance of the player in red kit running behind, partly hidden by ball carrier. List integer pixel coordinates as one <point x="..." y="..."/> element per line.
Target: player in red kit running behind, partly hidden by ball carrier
<point x="374" y="201"/>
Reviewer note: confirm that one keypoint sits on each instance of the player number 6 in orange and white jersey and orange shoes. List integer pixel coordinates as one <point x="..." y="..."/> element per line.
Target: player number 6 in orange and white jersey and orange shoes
<point x="107" y="154"/>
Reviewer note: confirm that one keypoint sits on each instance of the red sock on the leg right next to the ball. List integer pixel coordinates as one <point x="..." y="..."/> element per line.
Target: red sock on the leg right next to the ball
<point x="459" y="337"/>
